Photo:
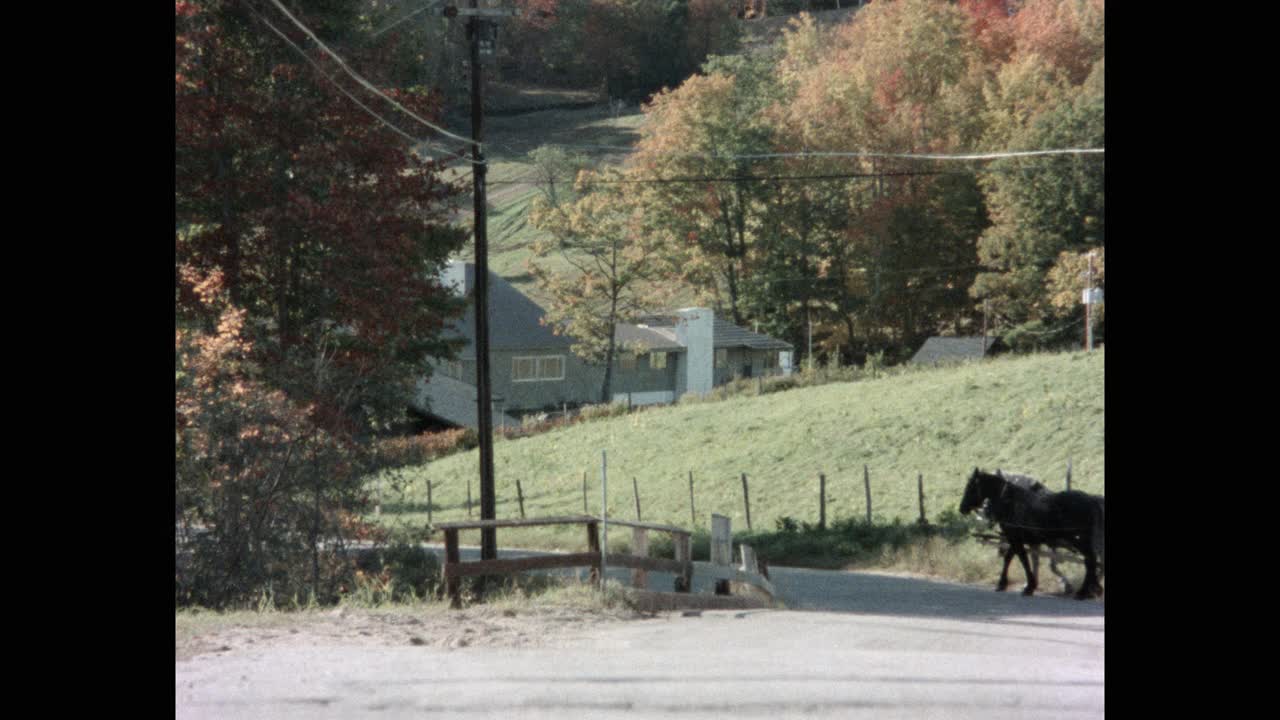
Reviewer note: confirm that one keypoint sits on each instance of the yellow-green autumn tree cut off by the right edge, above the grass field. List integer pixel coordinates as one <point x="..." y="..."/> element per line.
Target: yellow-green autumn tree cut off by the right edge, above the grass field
<point x="1043" y="208"/>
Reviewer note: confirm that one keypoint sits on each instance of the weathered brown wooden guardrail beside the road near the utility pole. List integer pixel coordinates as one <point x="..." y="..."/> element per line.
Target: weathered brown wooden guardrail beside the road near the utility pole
<point x="638" y="560"/>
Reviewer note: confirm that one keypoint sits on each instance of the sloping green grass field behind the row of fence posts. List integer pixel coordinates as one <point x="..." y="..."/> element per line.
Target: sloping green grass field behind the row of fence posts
<point x="1023" y="414"/>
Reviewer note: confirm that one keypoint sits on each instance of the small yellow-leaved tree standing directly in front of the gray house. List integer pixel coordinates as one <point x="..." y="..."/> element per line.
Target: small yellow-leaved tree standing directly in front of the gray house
<point x="601" y="266"/>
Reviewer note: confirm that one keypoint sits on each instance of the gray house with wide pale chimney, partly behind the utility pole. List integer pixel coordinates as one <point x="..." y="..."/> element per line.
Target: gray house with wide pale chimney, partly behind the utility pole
<point x="533" y="370"/>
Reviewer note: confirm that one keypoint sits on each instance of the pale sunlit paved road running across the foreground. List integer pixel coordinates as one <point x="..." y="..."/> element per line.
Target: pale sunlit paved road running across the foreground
<point x="853" y="645"/>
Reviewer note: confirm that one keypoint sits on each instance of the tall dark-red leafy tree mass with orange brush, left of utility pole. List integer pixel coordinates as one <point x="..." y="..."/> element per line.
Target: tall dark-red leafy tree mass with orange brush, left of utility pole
<point x="324" y="236"/>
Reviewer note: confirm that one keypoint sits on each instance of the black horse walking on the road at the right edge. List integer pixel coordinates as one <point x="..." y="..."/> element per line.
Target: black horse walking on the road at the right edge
<point x="1030" y="517"/>
